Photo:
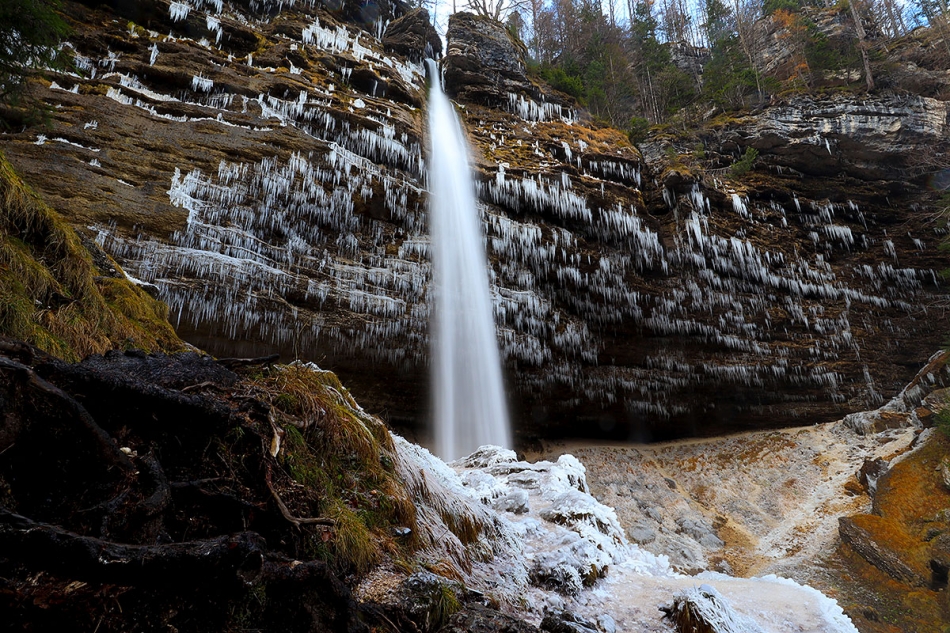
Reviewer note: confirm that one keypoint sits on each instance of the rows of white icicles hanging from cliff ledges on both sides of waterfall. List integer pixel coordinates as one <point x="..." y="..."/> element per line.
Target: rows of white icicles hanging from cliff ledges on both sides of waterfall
<point x="777" y="296"/>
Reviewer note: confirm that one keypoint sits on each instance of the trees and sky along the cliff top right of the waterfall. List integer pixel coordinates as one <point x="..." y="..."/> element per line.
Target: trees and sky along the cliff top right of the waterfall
<point x="636" y="63"/>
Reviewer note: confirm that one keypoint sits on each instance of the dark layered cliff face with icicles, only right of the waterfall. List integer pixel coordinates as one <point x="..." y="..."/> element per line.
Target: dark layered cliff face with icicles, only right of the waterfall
<point x="667" y="297"/>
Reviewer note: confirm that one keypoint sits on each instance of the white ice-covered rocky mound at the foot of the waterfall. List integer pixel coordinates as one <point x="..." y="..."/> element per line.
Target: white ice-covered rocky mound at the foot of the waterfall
<point x="548" y="546"/>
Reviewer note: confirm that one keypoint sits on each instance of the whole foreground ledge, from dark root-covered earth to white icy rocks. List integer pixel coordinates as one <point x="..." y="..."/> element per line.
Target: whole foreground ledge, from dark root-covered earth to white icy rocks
<point x="153" y="492"/>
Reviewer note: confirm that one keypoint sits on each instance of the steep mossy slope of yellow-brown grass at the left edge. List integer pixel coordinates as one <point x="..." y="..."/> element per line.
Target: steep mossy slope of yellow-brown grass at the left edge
<point x="66" y="297"/>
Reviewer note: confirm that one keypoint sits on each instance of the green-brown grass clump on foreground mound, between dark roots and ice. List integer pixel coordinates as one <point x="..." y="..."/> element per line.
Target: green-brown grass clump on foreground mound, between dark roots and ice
<point x="338" y="463"/>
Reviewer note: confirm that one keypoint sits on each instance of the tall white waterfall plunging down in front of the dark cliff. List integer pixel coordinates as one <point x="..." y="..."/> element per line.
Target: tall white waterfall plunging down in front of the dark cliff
<point x="469" y="397"/>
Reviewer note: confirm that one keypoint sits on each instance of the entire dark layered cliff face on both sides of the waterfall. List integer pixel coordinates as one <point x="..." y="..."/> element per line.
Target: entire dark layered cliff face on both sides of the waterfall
<point x="264" y="167"/>
